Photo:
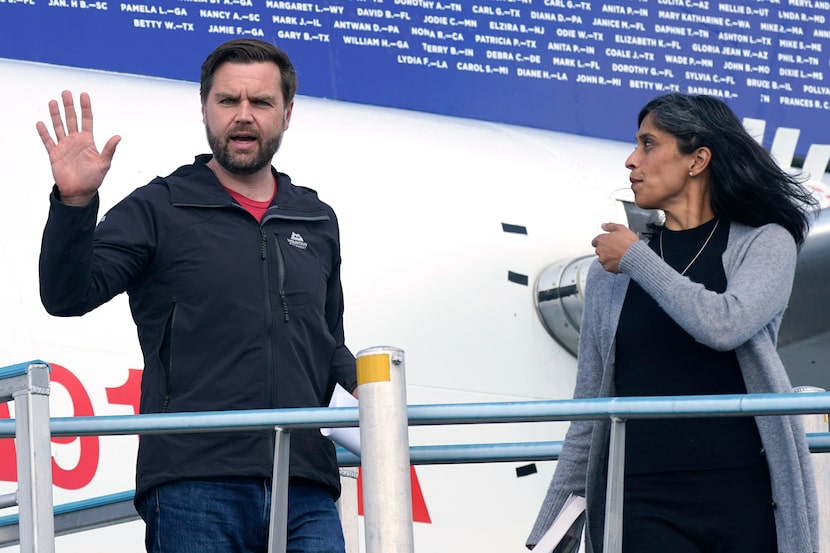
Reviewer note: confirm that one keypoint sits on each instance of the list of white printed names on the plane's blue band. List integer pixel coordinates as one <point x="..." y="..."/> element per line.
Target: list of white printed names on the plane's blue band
<point x="737" y="50"/>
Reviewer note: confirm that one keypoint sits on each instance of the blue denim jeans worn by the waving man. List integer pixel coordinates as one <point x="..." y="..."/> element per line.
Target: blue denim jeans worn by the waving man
<point x="231" y="515"/>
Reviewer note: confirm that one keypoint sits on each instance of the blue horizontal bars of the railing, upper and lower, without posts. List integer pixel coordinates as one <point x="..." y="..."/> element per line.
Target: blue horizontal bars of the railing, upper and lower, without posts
<point x="445" y="414"/>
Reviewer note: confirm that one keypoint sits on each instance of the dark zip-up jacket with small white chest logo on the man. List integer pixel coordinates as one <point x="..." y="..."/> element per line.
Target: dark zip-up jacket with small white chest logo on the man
<point x="231" y="313"/>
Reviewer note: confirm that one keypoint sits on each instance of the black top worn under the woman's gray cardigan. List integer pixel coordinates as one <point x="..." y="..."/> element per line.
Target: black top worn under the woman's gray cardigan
<point x="656" y="357"/>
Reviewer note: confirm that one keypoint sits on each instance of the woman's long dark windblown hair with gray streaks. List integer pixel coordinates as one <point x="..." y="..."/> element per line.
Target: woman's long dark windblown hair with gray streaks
<point x="747" y="185"/>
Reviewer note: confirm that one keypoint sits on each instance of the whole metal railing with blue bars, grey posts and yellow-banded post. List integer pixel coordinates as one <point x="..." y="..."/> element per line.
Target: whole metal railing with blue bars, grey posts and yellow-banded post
<point x="387" y="518"/>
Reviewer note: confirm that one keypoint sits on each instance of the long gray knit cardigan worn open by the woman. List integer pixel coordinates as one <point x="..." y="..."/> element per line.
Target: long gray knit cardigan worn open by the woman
<point x="759" y="265"/>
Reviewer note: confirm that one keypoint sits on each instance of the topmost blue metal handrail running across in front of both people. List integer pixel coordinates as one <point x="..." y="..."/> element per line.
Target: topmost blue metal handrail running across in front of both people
<point x="445" y="414"/>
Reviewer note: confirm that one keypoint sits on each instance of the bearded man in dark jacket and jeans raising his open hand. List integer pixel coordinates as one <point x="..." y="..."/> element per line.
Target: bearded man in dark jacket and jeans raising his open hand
<point x="233" y="275"/>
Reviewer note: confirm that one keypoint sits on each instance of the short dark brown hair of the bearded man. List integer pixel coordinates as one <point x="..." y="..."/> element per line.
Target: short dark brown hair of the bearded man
<point x="248" y="50"/>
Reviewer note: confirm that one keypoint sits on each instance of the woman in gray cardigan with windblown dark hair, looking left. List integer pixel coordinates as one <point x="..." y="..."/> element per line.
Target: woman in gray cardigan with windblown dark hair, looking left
<point x="695" y="309"/>
